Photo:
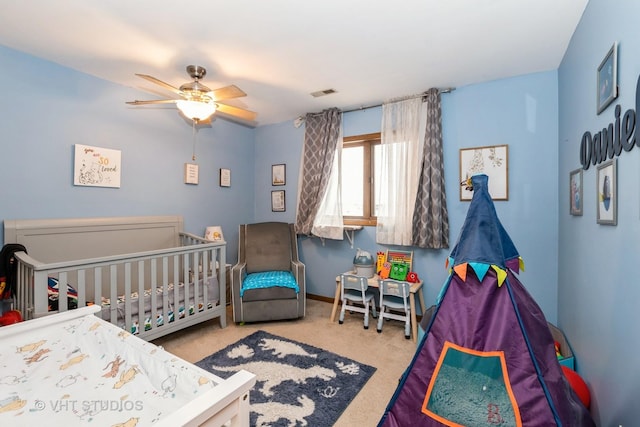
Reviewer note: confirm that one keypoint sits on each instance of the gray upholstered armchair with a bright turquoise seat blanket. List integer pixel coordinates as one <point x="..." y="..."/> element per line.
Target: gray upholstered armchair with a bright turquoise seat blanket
<point x="268" y="282"/>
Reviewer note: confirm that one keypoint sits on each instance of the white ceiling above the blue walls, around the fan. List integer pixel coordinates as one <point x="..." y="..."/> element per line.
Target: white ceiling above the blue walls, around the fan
<point x="280" y="51"/>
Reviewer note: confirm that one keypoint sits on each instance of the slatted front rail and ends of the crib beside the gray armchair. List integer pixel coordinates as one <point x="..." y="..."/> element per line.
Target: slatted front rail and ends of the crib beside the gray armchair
<point x="192" y="265"/>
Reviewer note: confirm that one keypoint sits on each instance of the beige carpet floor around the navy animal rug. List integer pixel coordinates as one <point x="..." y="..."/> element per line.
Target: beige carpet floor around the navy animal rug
<point x="388" y="351"/>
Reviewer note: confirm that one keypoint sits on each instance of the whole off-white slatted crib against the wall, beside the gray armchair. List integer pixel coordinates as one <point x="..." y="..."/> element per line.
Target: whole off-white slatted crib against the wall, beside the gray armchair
<point x="146" y="274"/>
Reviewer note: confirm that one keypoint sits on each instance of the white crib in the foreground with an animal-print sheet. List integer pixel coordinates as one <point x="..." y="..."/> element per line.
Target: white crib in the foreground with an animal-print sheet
<point x="73" y="367"/>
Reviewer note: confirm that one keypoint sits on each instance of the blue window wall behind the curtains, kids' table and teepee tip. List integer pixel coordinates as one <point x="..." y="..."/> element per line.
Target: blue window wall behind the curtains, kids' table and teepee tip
<point x="521" y="112"/>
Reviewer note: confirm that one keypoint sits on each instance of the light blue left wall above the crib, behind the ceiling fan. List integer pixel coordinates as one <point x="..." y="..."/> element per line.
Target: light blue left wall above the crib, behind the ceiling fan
<point x="46" y="109"/>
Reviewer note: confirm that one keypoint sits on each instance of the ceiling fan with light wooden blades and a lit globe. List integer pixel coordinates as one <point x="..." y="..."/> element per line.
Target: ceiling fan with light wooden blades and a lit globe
<point x="198" y="102"/>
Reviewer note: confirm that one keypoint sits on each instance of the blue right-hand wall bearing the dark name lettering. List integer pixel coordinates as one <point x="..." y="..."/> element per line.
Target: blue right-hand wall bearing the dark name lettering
<point x="598" y="293"/>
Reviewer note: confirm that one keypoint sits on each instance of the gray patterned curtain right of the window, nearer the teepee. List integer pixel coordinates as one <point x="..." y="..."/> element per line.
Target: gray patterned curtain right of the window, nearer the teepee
<point x="430" y="217"/>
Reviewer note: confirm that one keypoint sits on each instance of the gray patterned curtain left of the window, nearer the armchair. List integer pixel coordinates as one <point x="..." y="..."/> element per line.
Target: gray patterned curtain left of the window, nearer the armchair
<point x="322" y="131"/>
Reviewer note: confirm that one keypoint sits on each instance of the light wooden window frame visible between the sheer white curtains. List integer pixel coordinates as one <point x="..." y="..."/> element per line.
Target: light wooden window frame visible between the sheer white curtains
<point x="367" y="141"/>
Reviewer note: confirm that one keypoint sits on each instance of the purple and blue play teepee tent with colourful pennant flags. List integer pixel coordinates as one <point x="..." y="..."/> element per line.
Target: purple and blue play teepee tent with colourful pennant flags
<point x="487" y="357"/>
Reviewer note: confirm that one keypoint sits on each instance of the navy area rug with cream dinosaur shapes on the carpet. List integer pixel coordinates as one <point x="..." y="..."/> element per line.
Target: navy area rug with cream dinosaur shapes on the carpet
<point x="296" y="384"/>
